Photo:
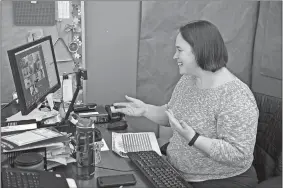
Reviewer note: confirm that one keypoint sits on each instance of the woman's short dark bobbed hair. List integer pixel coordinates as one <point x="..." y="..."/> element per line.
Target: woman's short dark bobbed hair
<point x="207" y="43"/>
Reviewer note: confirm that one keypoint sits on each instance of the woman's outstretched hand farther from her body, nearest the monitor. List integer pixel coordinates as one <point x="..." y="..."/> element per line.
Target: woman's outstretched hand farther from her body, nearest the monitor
<point x="134" y="107"/>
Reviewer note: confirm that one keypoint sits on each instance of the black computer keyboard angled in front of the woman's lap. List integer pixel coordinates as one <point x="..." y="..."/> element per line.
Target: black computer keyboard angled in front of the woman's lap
<point x="157" y="170"/>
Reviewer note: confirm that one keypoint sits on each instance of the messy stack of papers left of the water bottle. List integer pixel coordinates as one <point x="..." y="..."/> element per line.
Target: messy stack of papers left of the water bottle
<point x="56" y="144"/>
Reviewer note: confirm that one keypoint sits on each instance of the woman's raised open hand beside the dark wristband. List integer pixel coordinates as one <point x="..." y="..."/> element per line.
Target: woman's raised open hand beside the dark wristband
<point x="182" y="127"/>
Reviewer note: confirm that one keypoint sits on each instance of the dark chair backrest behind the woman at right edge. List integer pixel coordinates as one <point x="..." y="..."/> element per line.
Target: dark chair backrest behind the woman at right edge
<point x="268" y="148"/>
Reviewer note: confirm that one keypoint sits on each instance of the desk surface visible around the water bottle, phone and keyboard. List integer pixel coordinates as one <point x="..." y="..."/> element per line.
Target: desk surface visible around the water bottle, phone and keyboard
<point x="109" y="160"/>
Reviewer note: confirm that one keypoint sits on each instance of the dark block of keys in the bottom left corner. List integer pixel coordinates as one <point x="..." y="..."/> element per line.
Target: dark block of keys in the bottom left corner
<point x="18" y="179"/>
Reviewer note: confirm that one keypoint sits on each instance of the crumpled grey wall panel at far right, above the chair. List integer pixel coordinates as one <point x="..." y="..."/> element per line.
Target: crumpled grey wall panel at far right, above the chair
<point x="267" y="67"/>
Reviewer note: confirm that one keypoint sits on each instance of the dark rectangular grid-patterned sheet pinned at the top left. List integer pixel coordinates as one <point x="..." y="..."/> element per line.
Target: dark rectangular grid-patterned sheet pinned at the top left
<point x="27" y="13"/>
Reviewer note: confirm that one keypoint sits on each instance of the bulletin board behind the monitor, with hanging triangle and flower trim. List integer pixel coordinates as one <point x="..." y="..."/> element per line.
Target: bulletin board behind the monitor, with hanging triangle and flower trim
<point x="69" y="30"/>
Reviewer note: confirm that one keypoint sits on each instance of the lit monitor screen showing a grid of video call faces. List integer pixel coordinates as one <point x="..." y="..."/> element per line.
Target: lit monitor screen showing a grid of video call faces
<point x="37" y="71"/>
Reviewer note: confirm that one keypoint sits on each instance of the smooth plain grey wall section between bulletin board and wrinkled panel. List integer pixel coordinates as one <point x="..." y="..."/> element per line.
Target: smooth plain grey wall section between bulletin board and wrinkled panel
<point x="112" y="32"/>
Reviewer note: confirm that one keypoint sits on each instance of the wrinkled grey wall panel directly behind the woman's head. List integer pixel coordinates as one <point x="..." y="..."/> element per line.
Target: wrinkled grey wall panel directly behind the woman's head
<point x="158" y="72"/>
